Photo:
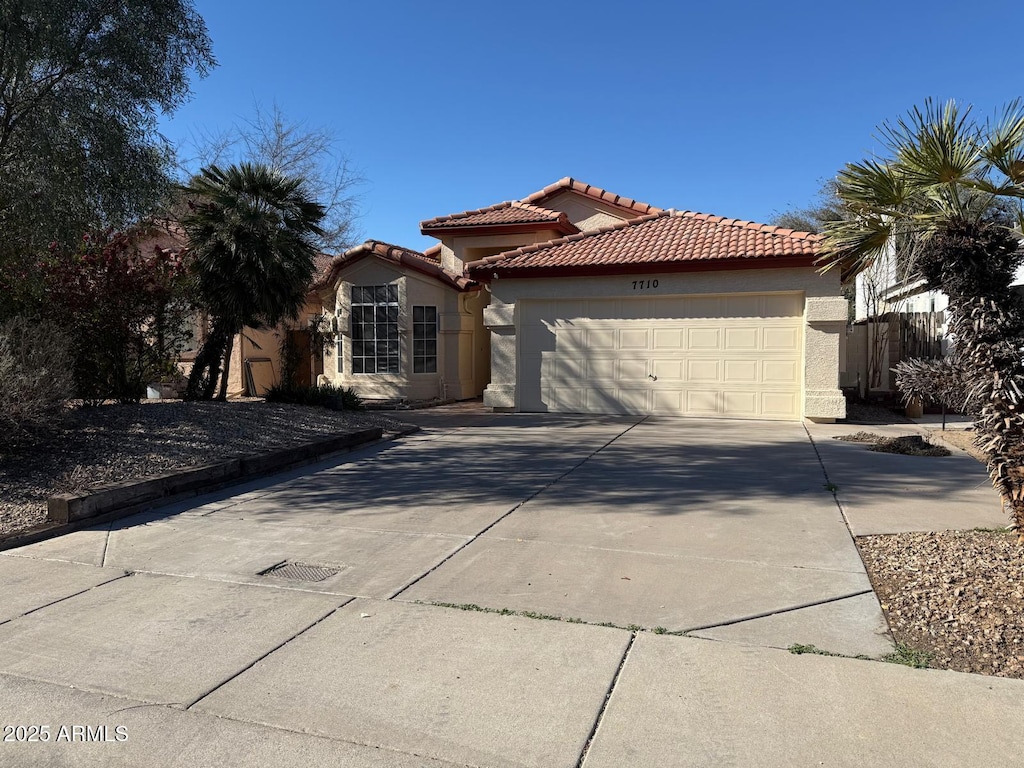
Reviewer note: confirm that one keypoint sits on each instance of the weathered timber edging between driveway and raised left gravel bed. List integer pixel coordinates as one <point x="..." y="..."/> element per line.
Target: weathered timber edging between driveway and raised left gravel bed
<point x="68" y="513"/>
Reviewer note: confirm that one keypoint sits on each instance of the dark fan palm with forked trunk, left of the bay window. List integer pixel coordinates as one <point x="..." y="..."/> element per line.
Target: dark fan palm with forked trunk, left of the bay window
<point x="251" y="233"/>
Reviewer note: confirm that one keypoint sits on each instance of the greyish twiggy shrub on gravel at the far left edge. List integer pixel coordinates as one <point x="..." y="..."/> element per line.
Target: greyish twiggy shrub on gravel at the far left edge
<point x="36" y="379"/>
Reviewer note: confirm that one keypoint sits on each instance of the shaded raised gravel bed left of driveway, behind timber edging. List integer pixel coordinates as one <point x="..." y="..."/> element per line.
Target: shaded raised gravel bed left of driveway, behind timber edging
<point x="124" y="443"/>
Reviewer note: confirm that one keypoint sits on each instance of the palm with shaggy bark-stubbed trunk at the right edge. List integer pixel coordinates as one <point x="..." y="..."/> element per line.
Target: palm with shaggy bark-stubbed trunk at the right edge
<point x="946" y="205"/>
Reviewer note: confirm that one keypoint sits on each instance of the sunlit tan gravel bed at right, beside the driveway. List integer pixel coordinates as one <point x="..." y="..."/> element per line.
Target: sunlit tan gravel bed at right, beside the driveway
<point x="957" y="595"/>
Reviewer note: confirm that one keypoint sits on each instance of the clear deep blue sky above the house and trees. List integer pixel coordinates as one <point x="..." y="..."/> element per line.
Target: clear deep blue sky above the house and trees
<point x="737" y="109"/>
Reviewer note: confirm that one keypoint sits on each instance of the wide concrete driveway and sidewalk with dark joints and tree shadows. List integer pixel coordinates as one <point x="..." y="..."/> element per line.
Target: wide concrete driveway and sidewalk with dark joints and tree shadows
<point x="424" y="644"/>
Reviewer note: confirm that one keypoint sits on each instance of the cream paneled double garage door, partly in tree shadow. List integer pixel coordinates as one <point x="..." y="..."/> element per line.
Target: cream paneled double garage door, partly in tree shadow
<point x="736" y="356"/>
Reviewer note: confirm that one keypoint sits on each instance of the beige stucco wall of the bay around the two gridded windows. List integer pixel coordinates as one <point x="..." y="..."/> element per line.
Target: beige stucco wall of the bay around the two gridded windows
<point x="460" y="327"/>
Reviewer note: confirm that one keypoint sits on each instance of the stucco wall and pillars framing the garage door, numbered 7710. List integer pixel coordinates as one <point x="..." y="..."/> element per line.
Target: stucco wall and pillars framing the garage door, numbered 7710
<point x="826" y="314"/>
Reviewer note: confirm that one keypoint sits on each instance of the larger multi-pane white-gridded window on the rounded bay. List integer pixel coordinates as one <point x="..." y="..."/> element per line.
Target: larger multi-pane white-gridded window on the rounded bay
<point x="376" y="348"/>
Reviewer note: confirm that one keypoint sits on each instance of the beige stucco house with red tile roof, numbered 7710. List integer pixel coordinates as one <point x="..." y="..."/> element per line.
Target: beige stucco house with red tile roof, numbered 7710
<point x="577" y="301"/>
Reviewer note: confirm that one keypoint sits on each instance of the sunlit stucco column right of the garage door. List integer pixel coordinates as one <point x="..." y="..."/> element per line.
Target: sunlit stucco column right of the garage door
<point x="826" y="319"/>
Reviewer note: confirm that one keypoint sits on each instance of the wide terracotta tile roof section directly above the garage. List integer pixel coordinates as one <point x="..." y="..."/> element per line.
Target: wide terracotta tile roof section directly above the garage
<point x="667" y="241"/>
